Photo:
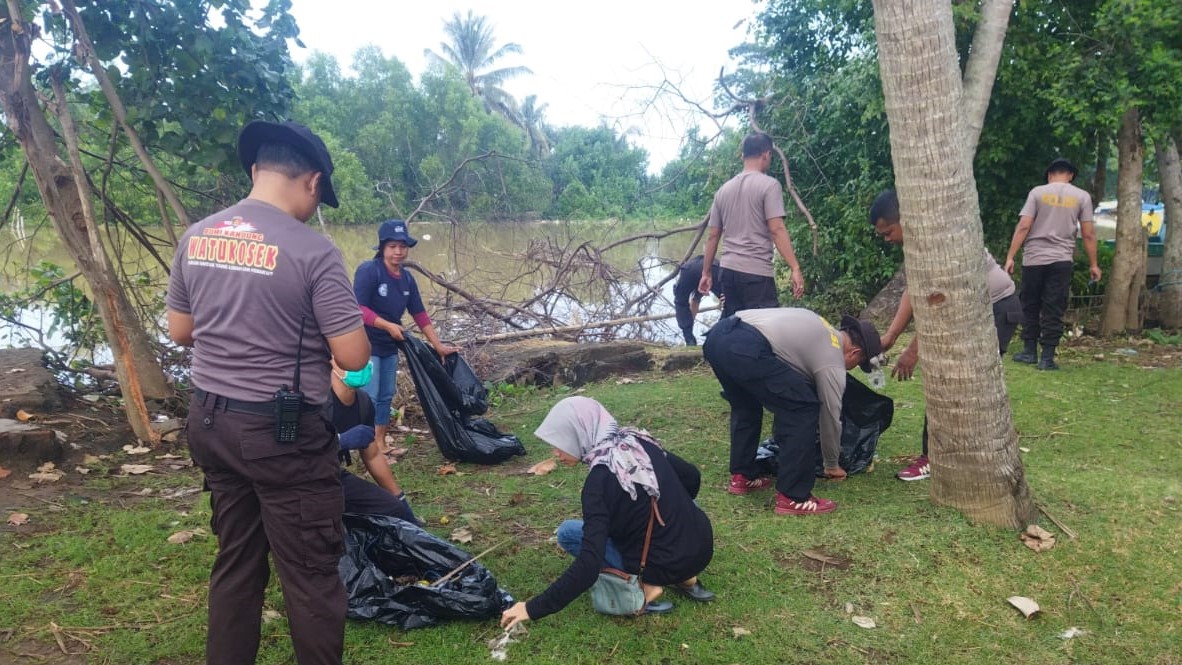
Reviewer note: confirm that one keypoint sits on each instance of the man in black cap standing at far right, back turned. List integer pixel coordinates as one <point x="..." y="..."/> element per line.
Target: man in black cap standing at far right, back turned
<point x="1055" y="213"/>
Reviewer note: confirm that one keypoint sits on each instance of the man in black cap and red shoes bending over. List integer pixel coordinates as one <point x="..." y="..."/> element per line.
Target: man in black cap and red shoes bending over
<point x="793" y="363"/>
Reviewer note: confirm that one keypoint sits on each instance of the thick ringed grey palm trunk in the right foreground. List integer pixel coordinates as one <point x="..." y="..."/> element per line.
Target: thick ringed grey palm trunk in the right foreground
<point x="975" y="446"/>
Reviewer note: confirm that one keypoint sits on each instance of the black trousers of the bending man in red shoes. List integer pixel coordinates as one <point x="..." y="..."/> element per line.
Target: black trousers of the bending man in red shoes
<point x="755" y="379"/>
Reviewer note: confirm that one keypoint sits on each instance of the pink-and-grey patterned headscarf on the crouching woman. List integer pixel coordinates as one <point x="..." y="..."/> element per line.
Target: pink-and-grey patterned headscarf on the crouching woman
<point x="582" y="428"/>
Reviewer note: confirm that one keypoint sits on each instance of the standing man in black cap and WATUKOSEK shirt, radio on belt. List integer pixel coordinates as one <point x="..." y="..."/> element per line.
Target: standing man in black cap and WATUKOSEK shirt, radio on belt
<point x="263" y="301"/>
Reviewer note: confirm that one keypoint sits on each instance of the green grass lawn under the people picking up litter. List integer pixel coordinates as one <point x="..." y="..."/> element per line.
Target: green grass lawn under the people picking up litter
<point x="1105" y="445"/>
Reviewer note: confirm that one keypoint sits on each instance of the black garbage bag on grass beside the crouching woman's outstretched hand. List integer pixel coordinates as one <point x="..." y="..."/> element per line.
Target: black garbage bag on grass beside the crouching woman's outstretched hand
<point x="386" y="562"/>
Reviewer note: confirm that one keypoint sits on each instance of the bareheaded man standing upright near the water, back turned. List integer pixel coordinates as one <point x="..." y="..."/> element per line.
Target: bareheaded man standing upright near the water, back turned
<point x="749" y="211"/>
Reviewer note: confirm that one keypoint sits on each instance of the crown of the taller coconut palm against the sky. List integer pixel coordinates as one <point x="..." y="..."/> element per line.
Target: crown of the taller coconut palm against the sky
<point x="472" y="49"/>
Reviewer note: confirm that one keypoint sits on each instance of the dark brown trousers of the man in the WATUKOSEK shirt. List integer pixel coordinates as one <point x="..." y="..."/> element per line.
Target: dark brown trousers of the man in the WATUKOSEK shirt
<point x="278" y="499"/>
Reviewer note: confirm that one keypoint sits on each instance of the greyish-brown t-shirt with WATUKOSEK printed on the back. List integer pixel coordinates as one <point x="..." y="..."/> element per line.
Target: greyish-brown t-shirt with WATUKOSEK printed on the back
<point x="249" y="277"/>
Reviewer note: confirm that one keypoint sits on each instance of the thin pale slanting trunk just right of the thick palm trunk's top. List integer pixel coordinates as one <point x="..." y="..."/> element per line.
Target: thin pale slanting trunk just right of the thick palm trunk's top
<point x="982" y="69"/>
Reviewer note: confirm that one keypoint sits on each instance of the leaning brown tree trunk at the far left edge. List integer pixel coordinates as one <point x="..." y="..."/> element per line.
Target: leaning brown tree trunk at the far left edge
<point x="139" y="371"/>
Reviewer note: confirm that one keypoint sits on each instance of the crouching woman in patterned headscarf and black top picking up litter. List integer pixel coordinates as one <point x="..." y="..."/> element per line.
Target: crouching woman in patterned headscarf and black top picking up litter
<point x="627" y="467"/>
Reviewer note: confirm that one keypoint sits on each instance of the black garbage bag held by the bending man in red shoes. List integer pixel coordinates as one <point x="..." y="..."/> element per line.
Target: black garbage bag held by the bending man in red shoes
<point x="866" y="416"/>
